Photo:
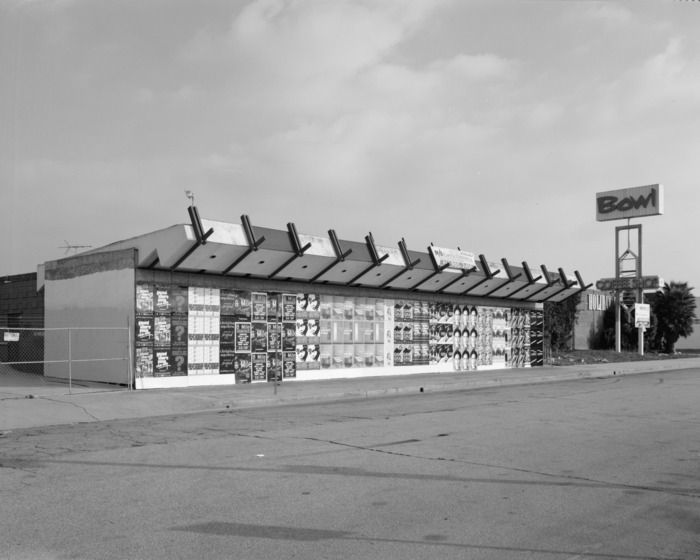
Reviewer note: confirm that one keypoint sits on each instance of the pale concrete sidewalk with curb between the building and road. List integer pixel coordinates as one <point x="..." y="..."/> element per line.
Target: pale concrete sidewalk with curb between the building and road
<point x="46" y="410"/>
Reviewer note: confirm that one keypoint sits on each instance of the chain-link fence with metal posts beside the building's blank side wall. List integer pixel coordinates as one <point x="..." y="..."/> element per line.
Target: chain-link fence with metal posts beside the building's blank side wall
<point x="58" y="361"/>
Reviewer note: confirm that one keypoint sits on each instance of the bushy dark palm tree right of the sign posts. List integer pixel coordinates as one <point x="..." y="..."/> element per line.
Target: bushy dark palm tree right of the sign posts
<point x="674" y="308"/>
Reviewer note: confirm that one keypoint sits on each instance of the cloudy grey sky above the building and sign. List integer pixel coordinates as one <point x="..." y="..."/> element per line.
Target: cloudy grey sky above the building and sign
<point x="484" y="125"/>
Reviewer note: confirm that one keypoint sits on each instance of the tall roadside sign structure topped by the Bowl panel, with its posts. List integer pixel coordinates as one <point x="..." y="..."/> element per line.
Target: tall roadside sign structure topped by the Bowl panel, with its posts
<point x="625" y="204"/>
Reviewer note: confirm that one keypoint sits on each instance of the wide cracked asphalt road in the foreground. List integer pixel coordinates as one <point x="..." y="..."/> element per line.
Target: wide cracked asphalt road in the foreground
<point x="592" y="469"/>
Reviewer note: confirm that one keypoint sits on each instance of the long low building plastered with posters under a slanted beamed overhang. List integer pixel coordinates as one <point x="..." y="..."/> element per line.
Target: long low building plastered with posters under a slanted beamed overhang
<point x="213" y="302"/>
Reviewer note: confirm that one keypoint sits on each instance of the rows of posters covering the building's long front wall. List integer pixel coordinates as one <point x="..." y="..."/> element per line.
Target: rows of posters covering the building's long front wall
<point x="261" y="337"/>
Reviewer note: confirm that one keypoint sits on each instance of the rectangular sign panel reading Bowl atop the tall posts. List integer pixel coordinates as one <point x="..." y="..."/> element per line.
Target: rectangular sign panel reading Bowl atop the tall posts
<point x="636" y="202"/>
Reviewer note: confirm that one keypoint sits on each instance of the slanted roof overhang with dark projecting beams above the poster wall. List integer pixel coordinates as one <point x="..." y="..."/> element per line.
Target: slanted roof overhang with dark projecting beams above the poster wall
<point x="243" y="250"/>
